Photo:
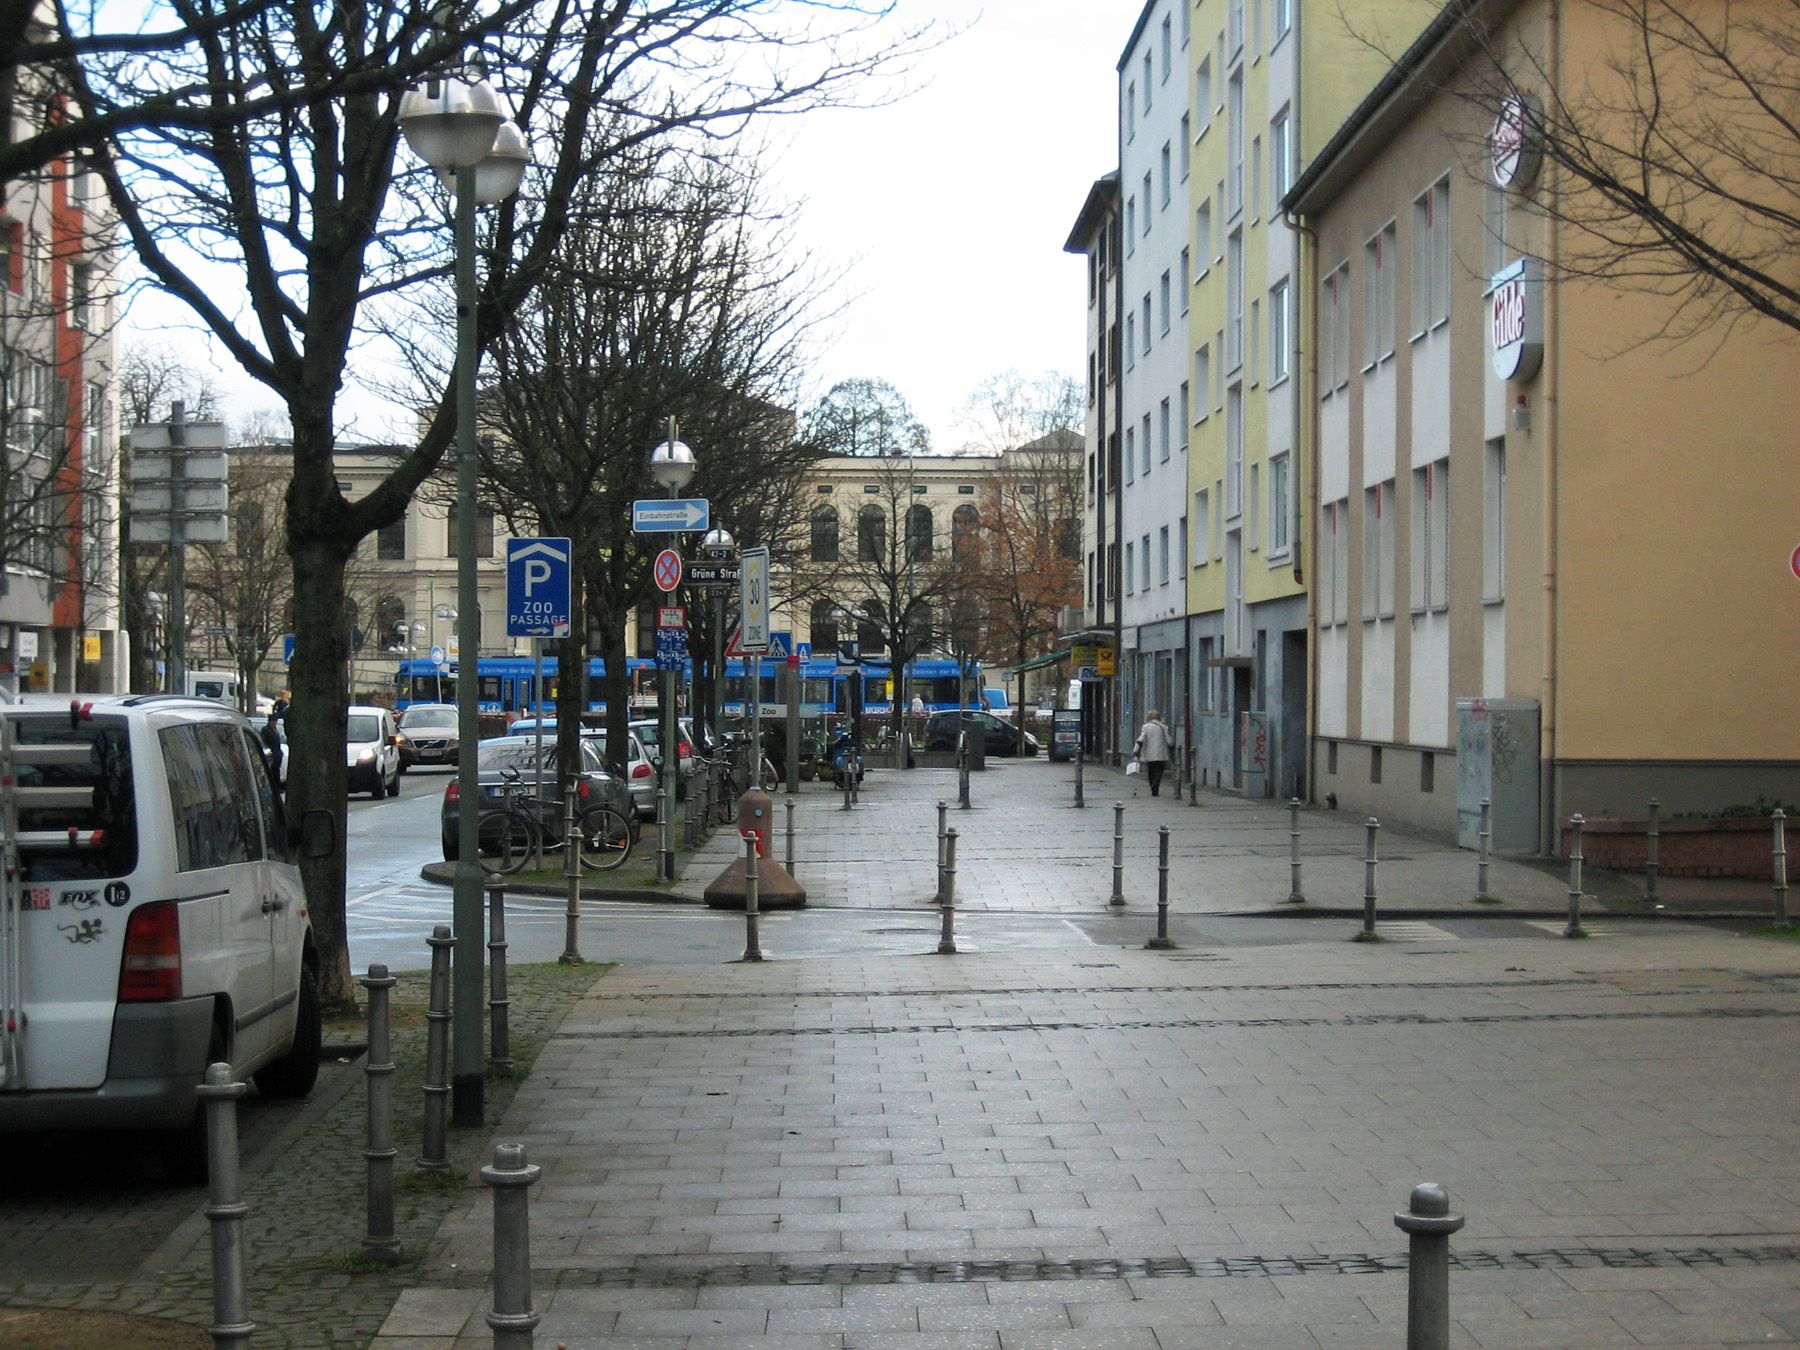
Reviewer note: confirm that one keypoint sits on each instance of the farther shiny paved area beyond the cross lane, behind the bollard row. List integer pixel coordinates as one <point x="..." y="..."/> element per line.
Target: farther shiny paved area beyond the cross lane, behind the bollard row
<point x="1025" y="847"/>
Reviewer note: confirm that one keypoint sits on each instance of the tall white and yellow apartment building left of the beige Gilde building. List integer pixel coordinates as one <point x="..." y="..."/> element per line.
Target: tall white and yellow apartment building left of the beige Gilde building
<point x="1196" y="345"/>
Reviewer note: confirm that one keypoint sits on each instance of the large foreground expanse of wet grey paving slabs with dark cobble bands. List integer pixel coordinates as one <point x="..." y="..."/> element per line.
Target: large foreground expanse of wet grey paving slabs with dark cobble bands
<point x="1158" y="1149"/>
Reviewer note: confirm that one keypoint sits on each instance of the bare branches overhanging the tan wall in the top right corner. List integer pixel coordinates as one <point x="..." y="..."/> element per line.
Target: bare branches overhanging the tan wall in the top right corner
<point x="1671" y="161"/>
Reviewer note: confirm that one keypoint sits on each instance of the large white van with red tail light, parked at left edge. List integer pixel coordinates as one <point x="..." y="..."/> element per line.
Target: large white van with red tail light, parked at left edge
<point x="156" y="922"/>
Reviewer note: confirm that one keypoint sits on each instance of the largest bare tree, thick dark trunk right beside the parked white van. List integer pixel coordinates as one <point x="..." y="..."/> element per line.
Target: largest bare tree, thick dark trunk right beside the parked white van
<point x="278" y="168"/>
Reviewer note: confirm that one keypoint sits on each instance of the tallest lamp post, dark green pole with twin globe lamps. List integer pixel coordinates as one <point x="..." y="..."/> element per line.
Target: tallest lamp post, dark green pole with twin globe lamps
<point x="456" y="125"/>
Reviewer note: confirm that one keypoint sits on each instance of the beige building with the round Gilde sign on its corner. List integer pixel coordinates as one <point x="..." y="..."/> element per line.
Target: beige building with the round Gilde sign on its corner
<point x="1552" y="559"/>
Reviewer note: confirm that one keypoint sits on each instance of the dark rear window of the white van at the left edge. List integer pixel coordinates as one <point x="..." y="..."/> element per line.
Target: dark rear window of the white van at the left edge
<point x="111" y="807"/>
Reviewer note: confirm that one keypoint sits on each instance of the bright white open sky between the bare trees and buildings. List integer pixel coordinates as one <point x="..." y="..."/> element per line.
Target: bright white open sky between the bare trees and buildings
<point x="948" y="210"/>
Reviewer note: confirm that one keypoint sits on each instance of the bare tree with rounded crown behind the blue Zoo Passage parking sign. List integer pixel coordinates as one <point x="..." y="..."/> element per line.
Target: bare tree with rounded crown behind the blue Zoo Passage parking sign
<point x="670" y="303"/>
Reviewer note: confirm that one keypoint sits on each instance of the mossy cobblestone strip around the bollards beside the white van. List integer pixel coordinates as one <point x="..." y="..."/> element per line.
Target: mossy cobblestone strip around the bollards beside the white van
<point x="309" y="1290"/>
